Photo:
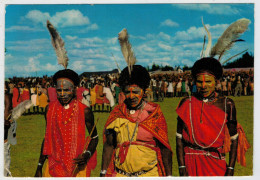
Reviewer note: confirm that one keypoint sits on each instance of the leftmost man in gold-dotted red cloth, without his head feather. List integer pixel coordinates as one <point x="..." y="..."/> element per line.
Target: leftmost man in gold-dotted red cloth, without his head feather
<point x="66" y="119"/>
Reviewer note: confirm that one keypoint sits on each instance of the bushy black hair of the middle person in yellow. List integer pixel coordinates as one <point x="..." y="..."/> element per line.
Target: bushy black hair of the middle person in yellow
<point x="139" y="76"/>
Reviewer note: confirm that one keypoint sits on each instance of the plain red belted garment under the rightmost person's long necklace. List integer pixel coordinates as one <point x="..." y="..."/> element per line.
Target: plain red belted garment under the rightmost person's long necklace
<point x="203" y="130"/>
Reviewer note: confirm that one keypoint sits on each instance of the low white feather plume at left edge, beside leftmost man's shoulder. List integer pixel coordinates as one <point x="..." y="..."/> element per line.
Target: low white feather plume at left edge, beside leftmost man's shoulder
<point x="20" y="109"/>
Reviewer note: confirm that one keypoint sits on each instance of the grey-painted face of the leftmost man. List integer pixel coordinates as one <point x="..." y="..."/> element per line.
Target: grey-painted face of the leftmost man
<point x="65" y="90"/>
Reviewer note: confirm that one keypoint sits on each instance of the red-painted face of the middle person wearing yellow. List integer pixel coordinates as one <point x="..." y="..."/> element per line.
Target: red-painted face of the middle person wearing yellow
<point x="134" y="95"/>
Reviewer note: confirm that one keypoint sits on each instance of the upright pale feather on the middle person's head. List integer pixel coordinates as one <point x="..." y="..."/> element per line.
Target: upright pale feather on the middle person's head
<point x="126" y="49"/>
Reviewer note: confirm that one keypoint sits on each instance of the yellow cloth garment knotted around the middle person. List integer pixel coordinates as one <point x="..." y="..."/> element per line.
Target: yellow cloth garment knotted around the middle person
<point x="139" y="157"/>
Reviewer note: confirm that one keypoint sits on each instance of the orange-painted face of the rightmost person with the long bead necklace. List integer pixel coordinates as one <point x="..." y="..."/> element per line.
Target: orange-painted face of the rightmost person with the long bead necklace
<point x="205" y="84"/>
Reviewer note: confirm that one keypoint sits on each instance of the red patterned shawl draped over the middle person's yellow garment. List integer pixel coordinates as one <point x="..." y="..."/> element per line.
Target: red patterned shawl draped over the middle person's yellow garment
<point x="154" y="123"/>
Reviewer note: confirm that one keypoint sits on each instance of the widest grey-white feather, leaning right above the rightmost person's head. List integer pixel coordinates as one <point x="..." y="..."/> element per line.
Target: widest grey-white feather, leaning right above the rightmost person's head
<point x="229" y="37"/>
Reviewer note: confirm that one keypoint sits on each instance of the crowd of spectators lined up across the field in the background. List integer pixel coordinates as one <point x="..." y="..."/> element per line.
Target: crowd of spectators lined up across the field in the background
<point x="102" y="92"/>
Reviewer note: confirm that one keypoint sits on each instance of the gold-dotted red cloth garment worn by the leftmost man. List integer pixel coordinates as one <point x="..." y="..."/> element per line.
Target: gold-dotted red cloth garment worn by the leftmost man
<point x="65" y="137"/>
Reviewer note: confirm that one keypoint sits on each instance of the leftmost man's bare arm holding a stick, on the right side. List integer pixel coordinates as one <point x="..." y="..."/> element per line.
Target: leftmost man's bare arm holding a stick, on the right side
<point x="83" y="158"/>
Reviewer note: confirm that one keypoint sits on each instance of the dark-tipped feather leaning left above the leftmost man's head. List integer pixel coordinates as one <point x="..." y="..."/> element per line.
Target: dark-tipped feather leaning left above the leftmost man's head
<point x="59" y="45"/>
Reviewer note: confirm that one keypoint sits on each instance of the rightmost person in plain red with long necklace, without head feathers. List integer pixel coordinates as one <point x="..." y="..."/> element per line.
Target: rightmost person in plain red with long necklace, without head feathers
<point x="207" y="127"/>
